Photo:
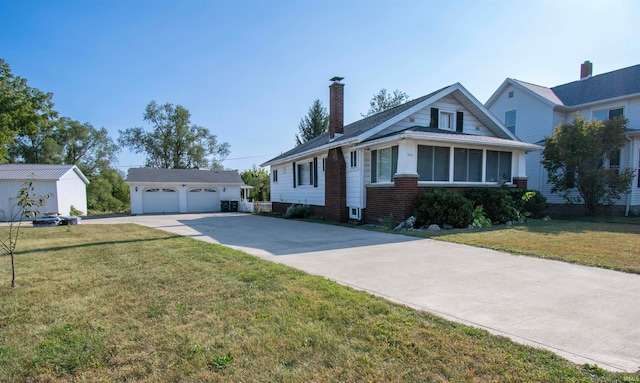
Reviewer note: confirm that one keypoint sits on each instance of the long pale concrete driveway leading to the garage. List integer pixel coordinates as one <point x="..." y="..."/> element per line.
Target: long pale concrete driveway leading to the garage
<point x="585" y="314"/>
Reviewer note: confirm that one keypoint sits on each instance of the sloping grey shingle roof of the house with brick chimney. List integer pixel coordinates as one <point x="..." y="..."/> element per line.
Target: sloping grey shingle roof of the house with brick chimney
<point x="356" y="128"/>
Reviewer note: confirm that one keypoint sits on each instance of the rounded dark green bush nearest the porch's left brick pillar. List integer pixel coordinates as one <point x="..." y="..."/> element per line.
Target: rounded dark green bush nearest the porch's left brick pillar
<point x="441" y="207"/>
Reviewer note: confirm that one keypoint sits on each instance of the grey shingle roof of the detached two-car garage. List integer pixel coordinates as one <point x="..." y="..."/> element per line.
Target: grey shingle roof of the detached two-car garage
<point x="184" y="176"/>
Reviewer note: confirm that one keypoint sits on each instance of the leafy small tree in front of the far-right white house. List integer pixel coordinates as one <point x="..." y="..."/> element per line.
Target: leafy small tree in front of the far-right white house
<point x="579" y="158"/>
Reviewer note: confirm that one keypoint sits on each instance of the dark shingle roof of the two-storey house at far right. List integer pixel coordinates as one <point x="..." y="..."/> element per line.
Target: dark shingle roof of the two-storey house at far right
<point x="621" y="82"/>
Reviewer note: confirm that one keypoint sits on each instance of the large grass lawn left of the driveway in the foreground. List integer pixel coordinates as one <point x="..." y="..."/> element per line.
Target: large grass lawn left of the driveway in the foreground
<point x="128" y="303"/>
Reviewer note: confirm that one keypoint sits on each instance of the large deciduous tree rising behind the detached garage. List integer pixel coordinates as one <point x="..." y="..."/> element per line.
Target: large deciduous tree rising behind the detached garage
<point x="174" y="142"/>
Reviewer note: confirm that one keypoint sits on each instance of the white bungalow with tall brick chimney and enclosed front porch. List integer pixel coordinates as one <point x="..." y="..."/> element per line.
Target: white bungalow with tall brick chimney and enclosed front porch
<point x="377" y="166"/>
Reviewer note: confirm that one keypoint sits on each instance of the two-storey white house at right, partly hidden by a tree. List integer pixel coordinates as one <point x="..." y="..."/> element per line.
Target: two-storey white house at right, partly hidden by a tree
<point x="532" y="111"/>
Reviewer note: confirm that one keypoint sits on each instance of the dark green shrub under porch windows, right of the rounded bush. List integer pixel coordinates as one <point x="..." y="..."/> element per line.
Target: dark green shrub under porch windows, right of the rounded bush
<point x="497" y="203"/>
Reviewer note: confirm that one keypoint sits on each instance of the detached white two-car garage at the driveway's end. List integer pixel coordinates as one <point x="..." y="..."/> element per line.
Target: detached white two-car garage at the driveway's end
<point x="155" y="190"/>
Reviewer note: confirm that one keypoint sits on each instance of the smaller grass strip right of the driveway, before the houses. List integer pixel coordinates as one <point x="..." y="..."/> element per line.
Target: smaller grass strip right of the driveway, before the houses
<point x="608" y="242"/>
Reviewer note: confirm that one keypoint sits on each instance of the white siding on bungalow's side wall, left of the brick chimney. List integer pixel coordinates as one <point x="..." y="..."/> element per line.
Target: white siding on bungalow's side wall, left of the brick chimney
<point x="283" y="190"/>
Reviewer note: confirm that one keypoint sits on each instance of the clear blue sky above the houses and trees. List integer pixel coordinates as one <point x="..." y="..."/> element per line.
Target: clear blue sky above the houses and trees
<point x="249" y="70"/>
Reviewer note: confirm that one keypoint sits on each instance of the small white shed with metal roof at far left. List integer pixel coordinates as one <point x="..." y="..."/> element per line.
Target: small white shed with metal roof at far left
<point x="66" y="185"/>
